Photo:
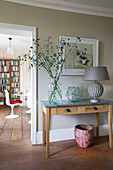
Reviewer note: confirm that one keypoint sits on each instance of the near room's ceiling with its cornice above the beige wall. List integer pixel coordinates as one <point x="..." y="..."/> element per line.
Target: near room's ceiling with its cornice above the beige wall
<point x="93" y="7"/>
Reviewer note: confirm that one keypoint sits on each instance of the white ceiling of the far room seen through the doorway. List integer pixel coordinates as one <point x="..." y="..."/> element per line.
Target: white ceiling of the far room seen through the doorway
<point x="21" y="40"/>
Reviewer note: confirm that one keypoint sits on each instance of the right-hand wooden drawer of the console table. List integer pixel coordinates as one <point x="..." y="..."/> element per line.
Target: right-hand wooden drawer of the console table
<point x="93" y="108"/>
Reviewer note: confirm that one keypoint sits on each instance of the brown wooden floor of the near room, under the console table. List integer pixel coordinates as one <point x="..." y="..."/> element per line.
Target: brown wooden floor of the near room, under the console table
<point x="65" y="155"/>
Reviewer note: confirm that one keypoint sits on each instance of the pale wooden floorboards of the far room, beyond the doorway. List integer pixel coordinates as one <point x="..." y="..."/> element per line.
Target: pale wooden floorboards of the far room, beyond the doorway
<point x="14" y="129"/>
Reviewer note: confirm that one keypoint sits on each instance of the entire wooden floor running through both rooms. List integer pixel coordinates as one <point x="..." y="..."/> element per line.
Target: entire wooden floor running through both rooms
<point x="17" y="153"/>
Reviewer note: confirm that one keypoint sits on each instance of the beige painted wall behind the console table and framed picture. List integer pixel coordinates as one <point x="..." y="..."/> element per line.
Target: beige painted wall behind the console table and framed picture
<point x="58" y="23"/>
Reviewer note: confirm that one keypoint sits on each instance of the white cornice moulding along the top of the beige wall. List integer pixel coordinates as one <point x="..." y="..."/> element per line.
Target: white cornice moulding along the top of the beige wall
<point x="82" y="8"/>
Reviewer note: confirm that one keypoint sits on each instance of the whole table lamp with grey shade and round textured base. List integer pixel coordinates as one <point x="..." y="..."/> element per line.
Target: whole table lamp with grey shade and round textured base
<point x="96" y="73"/>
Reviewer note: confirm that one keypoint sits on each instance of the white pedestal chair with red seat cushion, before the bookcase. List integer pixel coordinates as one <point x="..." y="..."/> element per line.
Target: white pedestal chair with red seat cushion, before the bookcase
<point x="12" y="104"/>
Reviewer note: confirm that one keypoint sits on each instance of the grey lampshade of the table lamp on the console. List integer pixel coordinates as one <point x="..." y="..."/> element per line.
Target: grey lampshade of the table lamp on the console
<point x="96" y="73"/>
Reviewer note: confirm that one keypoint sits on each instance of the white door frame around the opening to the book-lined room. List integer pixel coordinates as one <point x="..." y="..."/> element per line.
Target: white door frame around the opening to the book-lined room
<point x="34" y="110"/>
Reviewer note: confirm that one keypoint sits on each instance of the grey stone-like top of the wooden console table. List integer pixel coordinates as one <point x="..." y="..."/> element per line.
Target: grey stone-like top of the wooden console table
<point x="82" y="102"/>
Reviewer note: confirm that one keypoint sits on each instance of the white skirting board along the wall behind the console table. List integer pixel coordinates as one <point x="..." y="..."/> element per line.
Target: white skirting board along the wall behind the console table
<point x="67" y="134"/>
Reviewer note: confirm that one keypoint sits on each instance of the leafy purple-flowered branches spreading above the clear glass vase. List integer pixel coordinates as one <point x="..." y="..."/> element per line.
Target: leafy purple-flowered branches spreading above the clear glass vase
<point x="50" y="56"/>
